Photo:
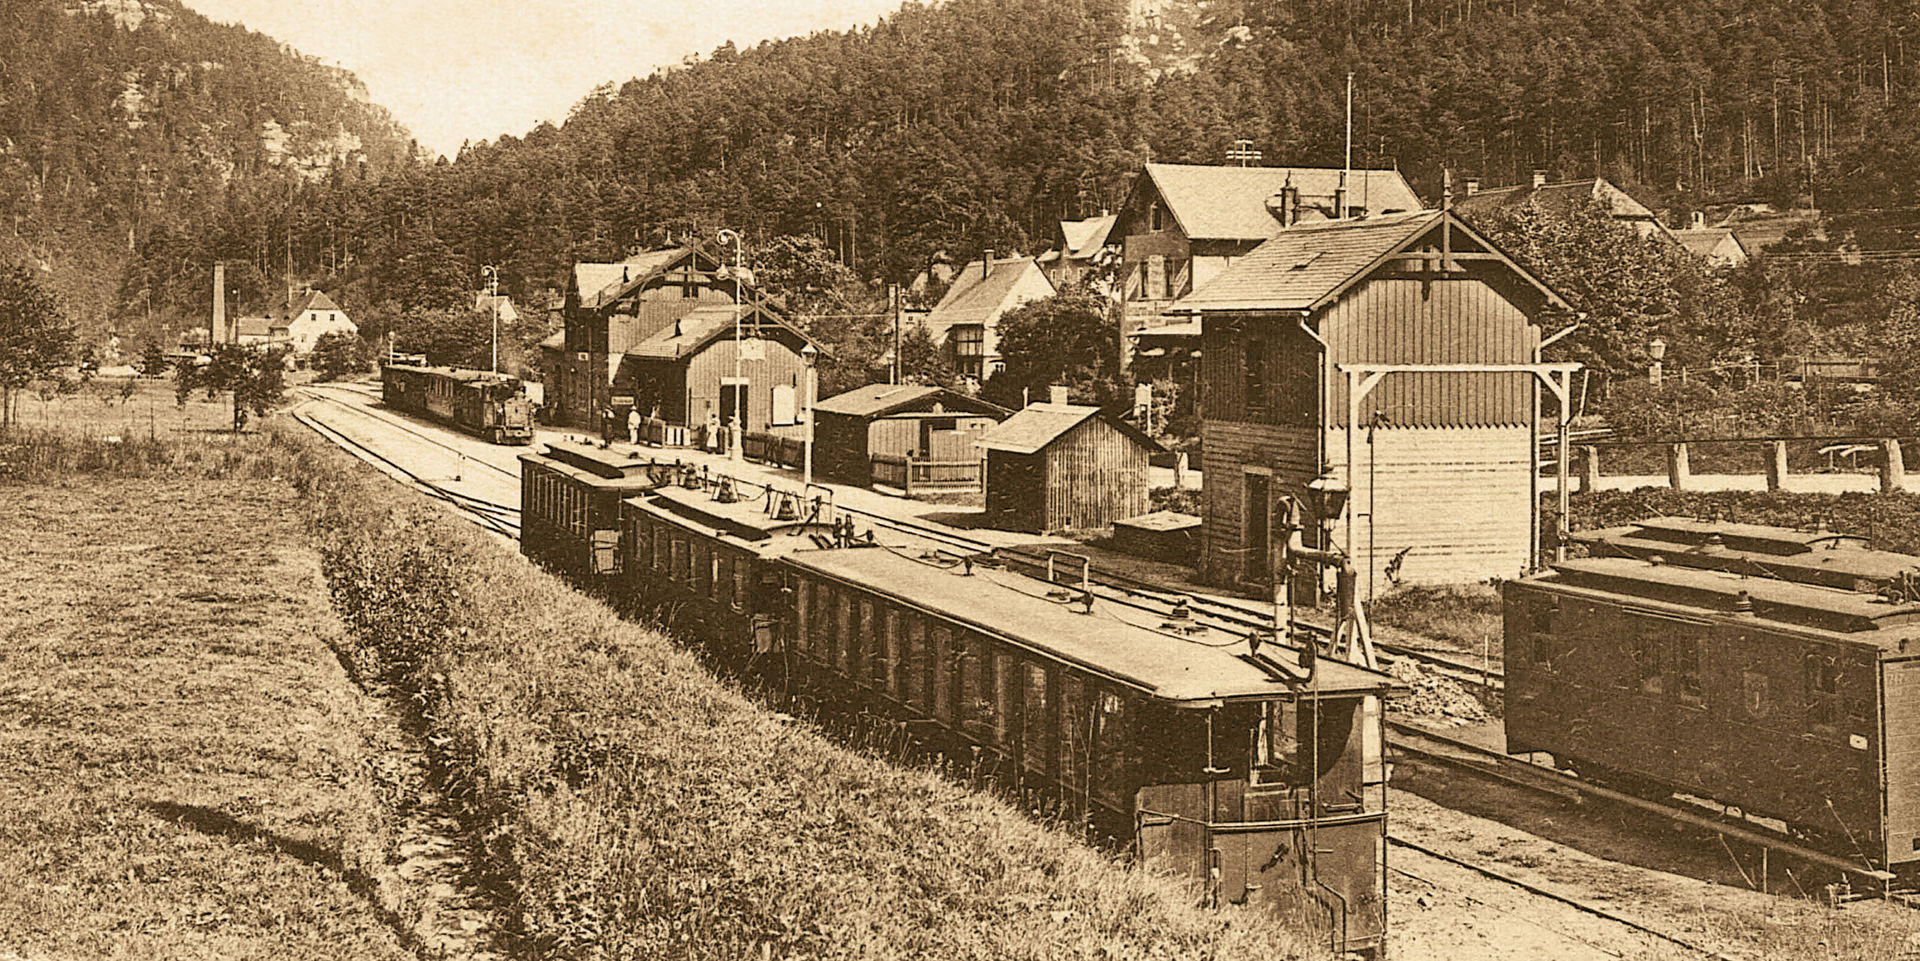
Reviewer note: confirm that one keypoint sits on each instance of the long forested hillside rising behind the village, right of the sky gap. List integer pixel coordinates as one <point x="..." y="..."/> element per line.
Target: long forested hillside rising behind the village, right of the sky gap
<point x="978" y="124"/>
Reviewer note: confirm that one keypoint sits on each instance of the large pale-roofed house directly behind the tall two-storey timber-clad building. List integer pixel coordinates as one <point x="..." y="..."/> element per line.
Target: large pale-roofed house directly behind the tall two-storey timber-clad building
<point x="1186" y="223"/>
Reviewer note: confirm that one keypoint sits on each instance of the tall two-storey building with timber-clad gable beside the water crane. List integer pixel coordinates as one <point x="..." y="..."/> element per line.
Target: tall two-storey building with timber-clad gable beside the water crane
<point x="1439" y="467"/>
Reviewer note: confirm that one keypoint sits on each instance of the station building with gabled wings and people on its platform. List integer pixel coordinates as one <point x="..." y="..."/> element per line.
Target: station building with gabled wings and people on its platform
<point x="660" y="333"/>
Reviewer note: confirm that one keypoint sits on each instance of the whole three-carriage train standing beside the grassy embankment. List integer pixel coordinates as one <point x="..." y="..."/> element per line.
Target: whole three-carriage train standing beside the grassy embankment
<point x="1243" y="761"/>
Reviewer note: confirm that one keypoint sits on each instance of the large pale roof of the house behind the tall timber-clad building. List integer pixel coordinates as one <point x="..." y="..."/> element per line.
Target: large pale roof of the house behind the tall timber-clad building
<point x="1234" y="202"/>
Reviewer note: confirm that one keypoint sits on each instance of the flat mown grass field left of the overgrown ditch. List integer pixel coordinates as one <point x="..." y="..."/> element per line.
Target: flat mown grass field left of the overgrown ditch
<point x="180" y="757"/>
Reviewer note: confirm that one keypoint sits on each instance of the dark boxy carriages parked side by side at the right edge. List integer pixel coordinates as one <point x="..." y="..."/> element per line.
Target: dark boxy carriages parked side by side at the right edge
<point x="1765" y="668"/>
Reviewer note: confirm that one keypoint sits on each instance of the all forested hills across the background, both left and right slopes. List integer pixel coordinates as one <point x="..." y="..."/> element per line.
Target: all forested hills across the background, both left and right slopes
<point x="946" y="128"/>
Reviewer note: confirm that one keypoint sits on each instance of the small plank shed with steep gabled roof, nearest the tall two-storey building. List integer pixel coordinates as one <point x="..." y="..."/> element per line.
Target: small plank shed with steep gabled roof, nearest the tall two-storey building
<point x="1057" y="467"/>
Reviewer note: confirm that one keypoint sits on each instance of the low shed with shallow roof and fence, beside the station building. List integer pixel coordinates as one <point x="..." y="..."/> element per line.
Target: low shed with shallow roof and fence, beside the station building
<point x="896" y="423"/>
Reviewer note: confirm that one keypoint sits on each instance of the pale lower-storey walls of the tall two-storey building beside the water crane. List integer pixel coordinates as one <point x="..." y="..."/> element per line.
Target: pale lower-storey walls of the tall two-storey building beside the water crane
<point x="1458" y="500"/>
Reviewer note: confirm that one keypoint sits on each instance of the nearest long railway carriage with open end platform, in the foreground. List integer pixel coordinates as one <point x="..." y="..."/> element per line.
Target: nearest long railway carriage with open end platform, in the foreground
<point x="1230" y="768"/>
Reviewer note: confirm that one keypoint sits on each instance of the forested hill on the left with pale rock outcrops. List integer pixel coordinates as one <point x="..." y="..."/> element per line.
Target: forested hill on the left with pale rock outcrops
<point x="132" y="129"/>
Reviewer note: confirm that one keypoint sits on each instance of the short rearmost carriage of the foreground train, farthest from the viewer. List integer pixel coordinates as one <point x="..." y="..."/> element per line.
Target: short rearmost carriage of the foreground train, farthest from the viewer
<point x="571" y="507"/>
